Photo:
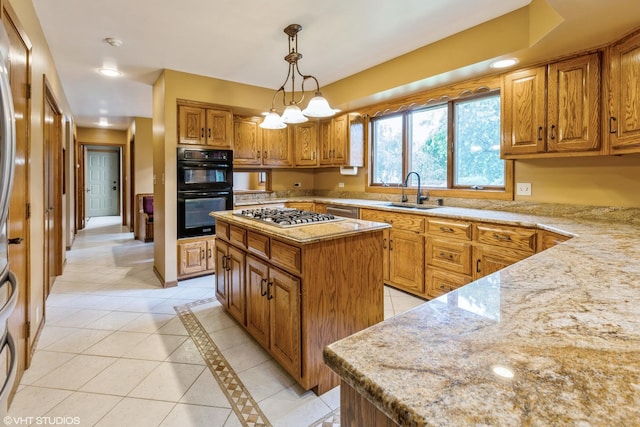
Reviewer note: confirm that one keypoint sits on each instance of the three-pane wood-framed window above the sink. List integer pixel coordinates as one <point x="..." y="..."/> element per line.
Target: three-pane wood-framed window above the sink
<point x="453" y="145"/>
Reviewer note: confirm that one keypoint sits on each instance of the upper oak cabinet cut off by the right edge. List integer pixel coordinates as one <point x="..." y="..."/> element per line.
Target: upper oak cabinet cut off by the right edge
<point x="624" y="96"/>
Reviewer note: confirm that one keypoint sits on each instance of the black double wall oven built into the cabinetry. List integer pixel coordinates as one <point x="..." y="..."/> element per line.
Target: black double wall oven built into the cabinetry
<point x="205" y="184"/>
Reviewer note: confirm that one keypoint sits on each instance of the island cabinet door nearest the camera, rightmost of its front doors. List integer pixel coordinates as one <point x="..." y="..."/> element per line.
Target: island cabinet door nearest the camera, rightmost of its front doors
<point x="283" y="293"/>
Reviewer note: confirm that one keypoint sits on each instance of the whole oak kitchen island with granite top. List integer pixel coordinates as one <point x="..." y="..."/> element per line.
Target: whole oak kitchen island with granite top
<point x="296" y="289"/>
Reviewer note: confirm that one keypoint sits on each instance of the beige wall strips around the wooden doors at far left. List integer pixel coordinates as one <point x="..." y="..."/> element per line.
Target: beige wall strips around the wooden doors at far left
<point x="41" y="65"/>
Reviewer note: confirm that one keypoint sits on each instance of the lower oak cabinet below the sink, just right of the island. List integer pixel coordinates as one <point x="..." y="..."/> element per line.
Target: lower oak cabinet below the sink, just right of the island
<point x="404" y="245"/>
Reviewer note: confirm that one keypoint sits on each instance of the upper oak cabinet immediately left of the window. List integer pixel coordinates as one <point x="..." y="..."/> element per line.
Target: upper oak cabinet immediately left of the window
<point x="342" y="141"/>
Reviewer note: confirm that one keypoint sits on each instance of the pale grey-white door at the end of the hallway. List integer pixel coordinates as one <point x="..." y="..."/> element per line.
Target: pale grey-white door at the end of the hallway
<point x="102" y="182"/>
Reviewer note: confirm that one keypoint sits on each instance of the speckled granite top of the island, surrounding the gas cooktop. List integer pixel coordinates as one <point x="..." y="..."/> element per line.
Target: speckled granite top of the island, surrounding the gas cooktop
<point x="305" y="234"/>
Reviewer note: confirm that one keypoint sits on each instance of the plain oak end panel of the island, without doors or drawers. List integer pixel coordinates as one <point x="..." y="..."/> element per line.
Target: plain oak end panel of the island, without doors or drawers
<point x="343" y="293"/>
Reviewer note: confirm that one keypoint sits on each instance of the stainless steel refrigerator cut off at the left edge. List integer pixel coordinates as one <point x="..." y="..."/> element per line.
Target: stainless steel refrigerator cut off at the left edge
<point x="8" y="285"/>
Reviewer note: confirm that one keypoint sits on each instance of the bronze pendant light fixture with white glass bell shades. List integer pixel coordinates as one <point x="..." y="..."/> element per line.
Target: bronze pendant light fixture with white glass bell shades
<point x="318" y="106"/>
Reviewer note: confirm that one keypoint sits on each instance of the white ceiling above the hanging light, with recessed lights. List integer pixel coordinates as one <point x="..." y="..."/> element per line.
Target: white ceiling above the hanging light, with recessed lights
<point x="243" y="41"/>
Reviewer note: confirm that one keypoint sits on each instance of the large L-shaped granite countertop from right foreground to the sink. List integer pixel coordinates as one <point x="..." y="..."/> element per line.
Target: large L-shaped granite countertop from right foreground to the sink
<point x="565" y="322"/>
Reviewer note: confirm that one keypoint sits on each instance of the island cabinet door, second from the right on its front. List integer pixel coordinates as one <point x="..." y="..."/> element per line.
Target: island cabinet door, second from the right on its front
<point x="257" y="302"/>
